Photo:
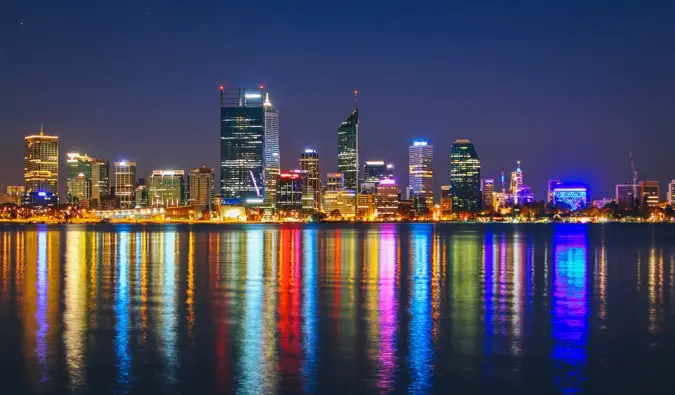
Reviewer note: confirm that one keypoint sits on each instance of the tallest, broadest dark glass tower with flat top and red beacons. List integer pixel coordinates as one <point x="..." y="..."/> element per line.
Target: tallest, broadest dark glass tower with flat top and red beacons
<point x="242" y="133"/>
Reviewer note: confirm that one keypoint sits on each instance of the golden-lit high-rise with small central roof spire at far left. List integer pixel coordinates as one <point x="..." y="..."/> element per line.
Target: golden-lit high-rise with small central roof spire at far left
<point x="41" y="163"/>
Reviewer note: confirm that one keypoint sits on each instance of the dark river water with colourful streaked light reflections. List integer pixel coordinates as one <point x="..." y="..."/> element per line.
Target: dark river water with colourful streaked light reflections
<point x="334" y="309"/>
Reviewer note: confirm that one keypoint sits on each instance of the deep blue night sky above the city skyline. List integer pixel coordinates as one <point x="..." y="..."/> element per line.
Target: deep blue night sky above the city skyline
<point x="567" y="87"/>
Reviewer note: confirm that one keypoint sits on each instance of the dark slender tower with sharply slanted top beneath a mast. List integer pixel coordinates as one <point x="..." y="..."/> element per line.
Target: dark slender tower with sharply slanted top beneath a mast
<point x="348" y="150"/>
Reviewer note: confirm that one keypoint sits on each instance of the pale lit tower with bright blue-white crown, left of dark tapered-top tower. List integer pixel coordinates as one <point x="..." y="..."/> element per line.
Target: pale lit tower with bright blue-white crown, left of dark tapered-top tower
<point x="421" y="171"/>
